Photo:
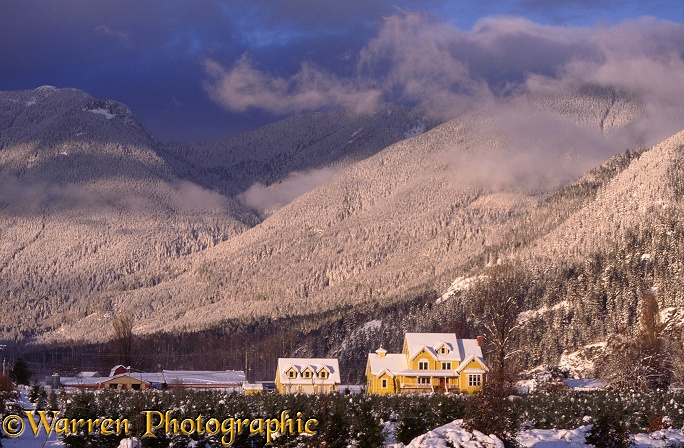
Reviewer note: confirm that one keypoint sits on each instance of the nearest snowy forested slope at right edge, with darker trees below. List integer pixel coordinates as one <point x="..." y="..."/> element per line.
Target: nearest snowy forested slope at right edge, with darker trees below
<point x="592" y="249"/>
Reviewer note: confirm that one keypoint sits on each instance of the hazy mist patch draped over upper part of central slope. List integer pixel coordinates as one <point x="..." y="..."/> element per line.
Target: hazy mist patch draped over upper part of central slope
<point x="522" y="148"/>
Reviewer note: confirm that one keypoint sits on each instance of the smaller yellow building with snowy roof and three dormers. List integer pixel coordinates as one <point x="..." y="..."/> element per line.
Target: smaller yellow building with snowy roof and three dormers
<point x="307" y="375"/>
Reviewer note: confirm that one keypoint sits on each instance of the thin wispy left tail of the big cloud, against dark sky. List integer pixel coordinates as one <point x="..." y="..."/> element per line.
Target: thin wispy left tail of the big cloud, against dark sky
<point x="244" y="87"/>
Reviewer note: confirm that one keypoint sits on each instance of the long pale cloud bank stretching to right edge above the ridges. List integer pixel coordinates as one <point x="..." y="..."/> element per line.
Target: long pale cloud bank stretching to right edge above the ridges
<point x="429" y="63"/>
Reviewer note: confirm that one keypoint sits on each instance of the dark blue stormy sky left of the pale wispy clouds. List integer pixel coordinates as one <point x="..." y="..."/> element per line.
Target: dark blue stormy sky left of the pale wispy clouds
<point x="149" y="54"/>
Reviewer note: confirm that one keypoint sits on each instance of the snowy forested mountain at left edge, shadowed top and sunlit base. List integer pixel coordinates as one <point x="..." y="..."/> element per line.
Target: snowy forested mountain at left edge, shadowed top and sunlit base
<point x="86" y="206"/>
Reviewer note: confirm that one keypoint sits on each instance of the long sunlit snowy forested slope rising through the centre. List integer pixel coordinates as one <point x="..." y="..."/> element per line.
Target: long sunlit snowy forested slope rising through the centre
<point x="406" y="220"/>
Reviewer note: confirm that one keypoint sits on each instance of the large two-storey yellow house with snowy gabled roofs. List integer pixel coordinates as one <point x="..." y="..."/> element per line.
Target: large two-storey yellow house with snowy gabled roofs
<point x="429" y="362"/>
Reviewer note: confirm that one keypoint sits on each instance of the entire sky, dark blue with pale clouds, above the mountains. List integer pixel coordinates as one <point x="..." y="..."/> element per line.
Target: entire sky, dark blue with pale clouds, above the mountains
<point x="202" y="70"/>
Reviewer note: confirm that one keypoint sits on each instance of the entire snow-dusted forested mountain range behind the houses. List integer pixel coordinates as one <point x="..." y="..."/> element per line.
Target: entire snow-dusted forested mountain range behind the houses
<point x="99" y="219"/>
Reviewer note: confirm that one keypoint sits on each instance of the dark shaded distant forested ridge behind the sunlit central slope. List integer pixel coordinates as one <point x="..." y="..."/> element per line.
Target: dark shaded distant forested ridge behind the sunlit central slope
<point x="300" y="144"/>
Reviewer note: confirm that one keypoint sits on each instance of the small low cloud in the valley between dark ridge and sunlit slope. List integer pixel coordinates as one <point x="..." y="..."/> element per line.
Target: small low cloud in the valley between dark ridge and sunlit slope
<point x="268" y="199"/>
